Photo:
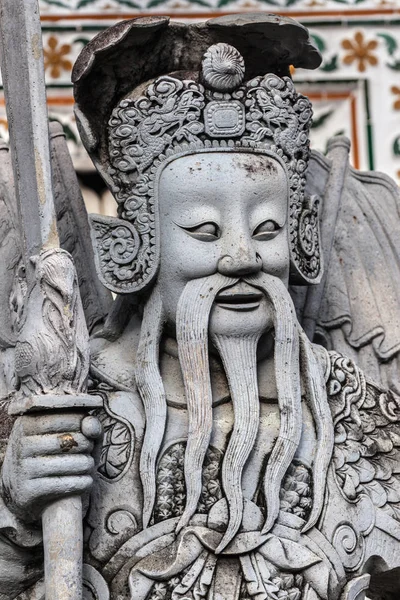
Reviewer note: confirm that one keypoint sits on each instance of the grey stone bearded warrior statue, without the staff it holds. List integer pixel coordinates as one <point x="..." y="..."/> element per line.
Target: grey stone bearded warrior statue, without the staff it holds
<point x="237" y="460"/>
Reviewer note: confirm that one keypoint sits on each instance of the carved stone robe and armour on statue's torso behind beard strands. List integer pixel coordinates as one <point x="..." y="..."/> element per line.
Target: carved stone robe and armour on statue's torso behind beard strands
<point x="123" y="561"/>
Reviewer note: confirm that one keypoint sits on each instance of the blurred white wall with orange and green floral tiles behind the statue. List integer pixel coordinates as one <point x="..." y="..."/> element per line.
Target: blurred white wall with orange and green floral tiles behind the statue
<point x="356" y="92"/>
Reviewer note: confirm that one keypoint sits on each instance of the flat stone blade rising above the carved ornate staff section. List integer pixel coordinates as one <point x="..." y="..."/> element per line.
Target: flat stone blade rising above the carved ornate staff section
<point x="24" y="86"/>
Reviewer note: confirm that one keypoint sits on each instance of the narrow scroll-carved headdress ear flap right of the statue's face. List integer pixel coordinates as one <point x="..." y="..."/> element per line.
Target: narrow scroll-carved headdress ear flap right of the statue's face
<point x="306" y="266"/>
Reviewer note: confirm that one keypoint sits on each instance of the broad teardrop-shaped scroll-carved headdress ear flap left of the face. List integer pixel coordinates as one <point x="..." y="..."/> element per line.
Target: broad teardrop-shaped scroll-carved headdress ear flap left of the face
<point x="123" y="262"/>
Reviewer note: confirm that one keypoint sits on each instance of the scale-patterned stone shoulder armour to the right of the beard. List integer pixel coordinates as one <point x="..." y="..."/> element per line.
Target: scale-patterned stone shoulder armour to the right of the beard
<point x="366" y="421"/>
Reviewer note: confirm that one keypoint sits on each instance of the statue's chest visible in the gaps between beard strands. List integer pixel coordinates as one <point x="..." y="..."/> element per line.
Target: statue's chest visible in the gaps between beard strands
<point x="170" y="479"/>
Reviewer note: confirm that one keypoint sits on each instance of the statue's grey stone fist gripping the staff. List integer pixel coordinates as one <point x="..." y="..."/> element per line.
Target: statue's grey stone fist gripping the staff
<point x="48" y="457"/>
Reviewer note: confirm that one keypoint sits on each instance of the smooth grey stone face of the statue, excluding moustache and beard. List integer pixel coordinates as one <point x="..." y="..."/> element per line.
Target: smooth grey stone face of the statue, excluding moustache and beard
<point x="223" y="212"/>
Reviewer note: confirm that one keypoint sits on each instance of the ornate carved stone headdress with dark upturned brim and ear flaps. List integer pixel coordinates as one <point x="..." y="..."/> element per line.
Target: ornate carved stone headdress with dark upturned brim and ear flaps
<point x="208" y="106"/>
